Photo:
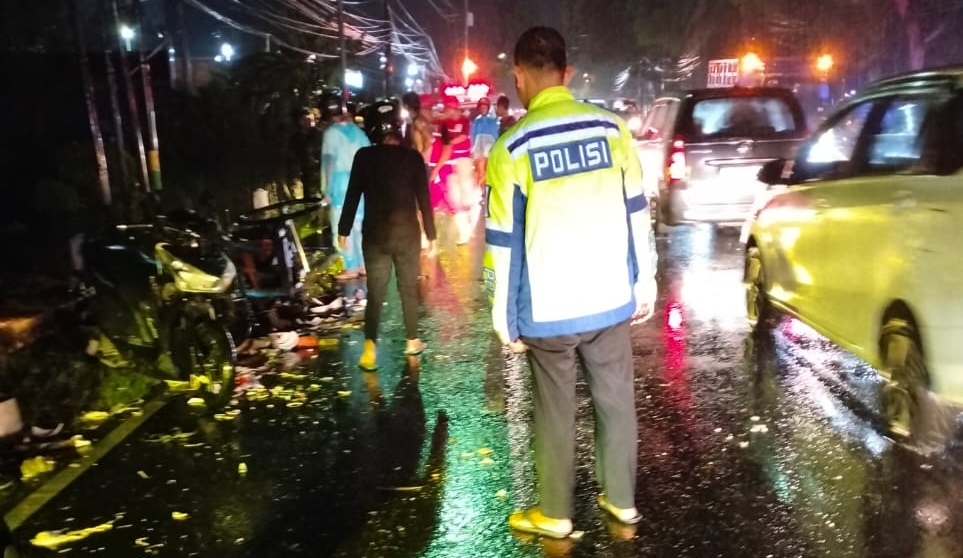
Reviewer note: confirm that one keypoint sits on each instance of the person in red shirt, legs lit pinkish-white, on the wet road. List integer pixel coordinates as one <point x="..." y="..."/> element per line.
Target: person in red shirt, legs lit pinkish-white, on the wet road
<point x="460" y="186"/>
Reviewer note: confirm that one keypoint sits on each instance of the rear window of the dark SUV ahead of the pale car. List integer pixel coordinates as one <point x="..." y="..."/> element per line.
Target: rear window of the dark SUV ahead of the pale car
<point x="761" y="117"/>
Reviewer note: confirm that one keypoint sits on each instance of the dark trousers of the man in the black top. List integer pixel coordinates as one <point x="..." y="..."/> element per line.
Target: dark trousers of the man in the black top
<point x="378" y="263"/>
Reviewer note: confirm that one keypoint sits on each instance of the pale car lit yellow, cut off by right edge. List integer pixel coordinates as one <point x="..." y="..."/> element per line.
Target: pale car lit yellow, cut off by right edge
<point x="860" y="242"/>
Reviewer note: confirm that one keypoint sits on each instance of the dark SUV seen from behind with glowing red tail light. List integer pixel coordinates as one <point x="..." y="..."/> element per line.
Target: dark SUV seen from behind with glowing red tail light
<point x="702" y="149"/>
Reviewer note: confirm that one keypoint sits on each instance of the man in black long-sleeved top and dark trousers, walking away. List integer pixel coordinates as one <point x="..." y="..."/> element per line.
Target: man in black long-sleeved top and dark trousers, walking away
<point x="394" y="183"/>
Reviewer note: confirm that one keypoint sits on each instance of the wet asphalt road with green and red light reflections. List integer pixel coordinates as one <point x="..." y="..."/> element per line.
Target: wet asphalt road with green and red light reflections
<point x="748" y="447"/>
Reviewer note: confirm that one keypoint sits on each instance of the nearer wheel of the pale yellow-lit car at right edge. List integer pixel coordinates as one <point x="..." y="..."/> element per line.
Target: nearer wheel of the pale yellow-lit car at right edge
<point x="905" y="380"/>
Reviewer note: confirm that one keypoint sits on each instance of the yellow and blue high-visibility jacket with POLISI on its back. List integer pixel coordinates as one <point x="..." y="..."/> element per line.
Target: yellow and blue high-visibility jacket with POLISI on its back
<point x="568" y="232"/>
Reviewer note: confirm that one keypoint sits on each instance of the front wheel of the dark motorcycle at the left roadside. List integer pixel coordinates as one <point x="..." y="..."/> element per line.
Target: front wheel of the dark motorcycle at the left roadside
<point x="203" y="353"/>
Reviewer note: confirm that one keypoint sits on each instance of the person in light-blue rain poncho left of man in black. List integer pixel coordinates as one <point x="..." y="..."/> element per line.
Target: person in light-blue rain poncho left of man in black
<point x="341" y="140"/>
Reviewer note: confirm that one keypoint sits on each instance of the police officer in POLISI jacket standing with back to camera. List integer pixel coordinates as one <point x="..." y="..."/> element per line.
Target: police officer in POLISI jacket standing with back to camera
<point x="565" y="184"/>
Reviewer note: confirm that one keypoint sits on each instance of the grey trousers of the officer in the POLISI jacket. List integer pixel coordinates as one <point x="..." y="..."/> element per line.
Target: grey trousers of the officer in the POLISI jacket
<point x="606" y="356"/>
